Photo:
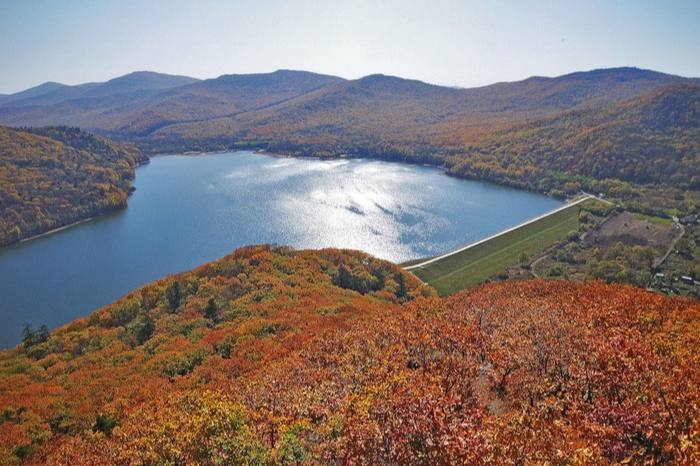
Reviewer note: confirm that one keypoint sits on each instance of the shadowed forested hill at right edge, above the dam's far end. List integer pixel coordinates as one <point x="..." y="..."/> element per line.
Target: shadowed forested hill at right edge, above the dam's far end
<point x="651" y="140"/>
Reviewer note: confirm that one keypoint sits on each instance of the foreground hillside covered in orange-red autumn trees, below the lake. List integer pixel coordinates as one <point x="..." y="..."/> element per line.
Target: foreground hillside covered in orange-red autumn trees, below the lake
<point x="295" y="357"/>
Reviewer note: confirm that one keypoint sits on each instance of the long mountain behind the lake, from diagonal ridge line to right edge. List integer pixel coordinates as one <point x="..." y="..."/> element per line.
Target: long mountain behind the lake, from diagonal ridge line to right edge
<point x="383" y="108"/>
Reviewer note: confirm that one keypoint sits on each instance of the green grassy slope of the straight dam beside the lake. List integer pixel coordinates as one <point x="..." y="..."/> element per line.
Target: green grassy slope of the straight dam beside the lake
<point x="475" y="265"/>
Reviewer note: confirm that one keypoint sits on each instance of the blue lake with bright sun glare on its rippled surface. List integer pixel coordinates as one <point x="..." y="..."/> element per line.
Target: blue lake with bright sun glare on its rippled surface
<point x="188" y="210"/>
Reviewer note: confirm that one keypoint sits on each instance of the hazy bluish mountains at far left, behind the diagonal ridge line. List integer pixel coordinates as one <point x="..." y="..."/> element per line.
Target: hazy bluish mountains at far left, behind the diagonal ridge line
<point x="141" y="102"/>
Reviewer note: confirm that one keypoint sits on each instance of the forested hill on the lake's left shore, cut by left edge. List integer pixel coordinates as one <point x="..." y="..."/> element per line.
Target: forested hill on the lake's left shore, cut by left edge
<point x="50" y="177"/>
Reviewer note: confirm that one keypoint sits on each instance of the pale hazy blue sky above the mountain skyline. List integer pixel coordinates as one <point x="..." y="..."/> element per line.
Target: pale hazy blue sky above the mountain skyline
<point x="465" y="43"/>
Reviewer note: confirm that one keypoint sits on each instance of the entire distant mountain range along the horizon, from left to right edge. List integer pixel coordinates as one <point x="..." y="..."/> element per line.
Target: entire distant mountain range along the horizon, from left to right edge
<point x="294" y="103"/>
